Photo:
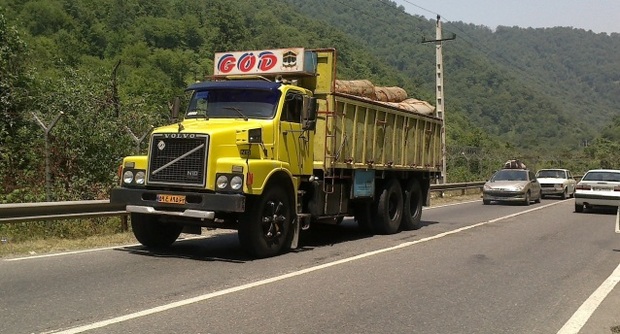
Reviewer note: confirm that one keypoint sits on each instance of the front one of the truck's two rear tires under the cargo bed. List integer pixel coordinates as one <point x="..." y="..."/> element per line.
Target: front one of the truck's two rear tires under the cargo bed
<point x="389" y="209"/>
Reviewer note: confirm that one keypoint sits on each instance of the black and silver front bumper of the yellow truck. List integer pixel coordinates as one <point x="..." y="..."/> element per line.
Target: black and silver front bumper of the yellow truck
<point x="198" y="205"/>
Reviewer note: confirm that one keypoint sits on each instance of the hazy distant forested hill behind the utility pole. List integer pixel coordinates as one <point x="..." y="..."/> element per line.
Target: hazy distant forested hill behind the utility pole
<point x="539" y="89"/>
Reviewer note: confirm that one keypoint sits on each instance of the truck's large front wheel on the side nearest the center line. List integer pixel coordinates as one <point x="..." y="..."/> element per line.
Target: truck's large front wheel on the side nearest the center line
<point x="265" y="229"/>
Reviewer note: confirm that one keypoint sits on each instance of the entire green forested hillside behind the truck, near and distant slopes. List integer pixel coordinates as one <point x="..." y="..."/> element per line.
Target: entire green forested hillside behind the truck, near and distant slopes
<point x="113" y="66"/>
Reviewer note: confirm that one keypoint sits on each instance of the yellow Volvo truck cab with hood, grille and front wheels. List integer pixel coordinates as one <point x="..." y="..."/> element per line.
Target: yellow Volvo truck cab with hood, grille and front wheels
<point x="239" y="137"/>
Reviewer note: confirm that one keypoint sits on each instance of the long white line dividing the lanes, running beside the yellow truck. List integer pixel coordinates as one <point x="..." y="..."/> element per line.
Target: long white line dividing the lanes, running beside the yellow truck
<point x="211" y="295"/>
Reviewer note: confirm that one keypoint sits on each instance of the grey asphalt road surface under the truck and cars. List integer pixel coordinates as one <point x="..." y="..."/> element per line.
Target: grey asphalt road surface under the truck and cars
<point x="471" y="268"/>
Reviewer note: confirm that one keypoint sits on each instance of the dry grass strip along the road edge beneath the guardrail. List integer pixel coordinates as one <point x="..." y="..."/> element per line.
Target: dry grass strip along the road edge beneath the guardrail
<point x="37" y="246"/>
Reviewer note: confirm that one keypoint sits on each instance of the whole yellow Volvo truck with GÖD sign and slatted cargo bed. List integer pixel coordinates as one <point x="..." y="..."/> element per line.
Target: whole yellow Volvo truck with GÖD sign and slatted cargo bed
<point x="268" y="147"/>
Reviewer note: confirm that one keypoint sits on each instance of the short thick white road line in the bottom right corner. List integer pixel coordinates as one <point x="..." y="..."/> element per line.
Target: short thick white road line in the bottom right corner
<point x="585" y="311"/>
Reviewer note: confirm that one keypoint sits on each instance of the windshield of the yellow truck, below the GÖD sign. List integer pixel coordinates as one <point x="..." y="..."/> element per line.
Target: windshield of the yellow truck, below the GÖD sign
<point x="233" y="103"/>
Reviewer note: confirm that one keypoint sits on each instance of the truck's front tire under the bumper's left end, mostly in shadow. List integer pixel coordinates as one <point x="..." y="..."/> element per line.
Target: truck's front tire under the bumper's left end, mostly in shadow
<point x="152" y="233"/>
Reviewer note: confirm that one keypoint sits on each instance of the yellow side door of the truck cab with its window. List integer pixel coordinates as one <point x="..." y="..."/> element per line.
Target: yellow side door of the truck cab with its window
<point x="295" y="143"/>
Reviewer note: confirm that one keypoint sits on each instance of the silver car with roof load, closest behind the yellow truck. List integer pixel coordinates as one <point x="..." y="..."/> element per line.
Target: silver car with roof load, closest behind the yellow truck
<point x="512" y="185"/>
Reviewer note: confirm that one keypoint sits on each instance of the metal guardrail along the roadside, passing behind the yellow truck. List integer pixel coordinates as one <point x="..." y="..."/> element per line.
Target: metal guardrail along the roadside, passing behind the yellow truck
<point x="22" y="212"/>
